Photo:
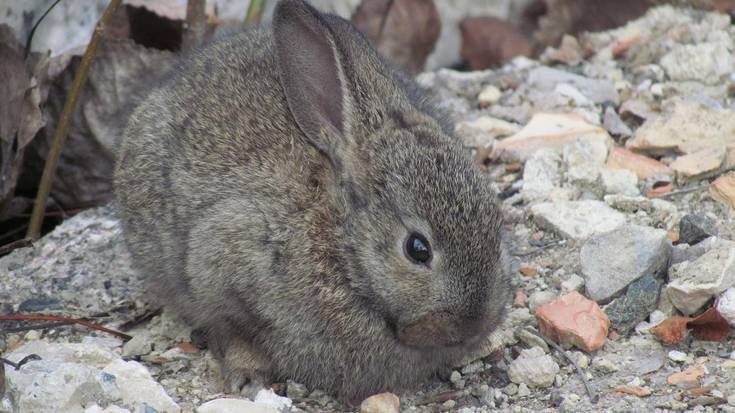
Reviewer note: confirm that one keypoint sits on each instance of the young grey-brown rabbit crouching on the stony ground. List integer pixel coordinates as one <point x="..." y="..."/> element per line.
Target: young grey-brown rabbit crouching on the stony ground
<point x="296" y="197"/>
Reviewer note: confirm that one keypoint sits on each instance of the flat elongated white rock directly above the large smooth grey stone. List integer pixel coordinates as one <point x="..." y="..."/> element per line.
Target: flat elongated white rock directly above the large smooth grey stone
<point x="577" y="220"/>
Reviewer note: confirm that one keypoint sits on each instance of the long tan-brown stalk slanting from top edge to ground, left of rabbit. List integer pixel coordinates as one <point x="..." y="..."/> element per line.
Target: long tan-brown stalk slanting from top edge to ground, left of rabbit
<point x="49" y="169"/>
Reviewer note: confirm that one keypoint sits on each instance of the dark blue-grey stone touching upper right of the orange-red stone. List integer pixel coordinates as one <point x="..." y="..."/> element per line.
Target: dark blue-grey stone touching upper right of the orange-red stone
<point x="639" y="301"/>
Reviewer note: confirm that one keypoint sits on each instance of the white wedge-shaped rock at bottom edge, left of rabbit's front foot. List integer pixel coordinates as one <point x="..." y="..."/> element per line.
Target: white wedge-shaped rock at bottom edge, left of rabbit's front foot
<point x="138" y="388"/>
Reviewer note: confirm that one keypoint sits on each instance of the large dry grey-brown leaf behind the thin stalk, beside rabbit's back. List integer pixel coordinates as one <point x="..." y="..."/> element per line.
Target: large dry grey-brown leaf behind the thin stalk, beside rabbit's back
<point x="121" y="74"/>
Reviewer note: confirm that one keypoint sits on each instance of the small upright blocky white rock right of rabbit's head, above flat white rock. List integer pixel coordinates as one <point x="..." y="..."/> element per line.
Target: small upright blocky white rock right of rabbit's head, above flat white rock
<point x="542" y="176"/>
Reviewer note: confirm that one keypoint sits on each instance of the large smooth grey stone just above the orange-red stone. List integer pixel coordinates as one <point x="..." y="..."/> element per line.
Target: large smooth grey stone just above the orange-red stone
<point x="613" y="260"/>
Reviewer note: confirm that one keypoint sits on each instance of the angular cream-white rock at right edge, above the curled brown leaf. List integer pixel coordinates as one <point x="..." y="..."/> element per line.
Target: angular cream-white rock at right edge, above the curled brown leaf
<point x="693" y="283"/>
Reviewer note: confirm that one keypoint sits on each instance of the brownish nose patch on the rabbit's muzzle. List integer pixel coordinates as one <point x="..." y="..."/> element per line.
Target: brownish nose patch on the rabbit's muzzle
<point x="438" y="329"/>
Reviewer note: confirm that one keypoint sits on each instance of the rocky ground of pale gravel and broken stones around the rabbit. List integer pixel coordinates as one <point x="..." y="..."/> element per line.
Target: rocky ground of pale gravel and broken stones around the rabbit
<point x="611" y="156"/>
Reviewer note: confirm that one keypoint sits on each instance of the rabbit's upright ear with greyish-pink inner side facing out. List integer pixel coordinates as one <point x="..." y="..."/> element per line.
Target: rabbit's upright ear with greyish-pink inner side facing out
<point x="312" y="75"/>
